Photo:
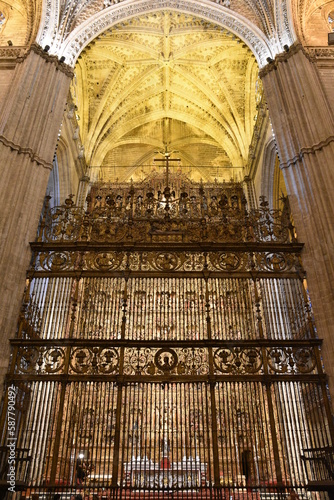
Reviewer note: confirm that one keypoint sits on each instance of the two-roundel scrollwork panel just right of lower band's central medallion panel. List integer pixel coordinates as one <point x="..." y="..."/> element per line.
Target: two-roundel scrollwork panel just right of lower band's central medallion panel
<point x="238" y="360"/>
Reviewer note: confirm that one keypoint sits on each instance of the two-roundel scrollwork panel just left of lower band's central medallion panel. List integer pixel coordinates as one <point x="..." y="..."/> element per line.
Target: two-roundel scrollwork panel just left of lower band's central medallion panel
<point x="90" y="360"/>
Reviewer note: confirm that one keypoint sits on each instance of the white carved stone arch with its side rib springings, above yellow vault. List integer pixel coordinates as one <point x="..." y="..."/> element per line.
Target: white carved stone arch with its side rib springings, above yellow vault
<point x="103" y="16"/>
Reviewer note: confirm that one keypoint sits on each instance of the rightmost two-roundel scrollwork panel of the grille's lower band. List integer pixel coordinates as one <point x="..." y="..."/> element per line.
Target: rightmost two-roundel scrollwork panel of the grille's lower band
<point x="291" y="360"/>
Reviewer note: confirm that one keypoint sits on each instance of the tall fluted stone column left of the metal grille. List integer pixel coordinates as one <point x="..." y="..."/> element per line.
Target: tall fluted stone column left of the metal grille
<point x="29" y="125"/>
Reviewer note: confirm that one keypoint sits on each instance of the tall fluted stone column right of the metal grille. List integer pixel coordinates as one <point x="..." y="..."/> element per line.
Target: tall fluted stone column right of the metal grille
<point x="303" y="123"/>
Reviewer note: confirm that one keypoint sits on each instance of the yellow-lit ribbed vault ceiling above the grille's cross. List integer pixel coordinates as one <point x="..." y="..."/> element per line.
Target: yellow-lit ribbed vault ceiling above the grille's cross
<point x="166" y="80"/>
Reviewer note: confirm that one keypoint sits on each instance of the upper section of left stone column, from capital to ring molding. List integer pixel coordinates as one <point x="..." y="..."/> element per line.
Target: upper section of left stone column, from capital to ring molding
<point x="35" y="102"/>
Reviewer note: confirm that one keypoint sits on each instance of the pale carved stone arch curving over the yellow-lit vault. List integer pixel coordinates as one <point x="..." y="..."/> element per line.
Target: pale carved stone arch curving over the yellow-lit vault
<point x="71" y="45"/>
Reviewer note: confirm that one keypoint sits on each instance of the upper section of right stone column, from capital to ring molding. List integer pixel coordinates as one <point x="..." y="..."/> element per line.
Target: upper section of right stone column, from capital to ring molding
<point x="300" y="110"/>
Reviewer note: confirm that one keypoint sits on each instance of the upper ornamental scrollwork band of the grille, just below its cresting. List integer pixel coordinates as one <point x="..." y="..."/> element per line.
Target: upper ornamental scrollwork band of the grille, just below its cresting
<point x="105" y="261"/>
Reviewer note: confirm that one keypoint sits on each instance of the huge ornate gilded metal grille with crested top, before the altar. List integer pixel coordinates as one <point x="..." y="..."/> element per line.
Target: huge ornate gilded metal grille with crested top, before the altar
<point x="166" y="347"/>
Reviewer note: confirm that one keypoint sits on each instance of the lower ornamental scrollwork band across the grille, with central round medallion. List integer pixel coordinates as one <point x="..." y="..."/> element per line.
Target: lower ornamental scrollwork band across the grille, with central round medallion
<point x="155" y="361"/>
